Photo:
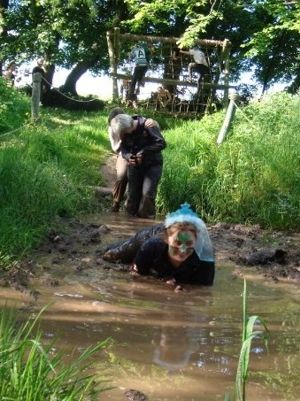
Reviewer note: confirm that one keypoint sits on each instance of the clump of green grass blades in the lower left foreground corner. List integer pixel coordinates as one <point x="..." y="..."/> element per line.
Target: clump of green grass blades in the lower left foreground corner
<point x="30" y="371"/>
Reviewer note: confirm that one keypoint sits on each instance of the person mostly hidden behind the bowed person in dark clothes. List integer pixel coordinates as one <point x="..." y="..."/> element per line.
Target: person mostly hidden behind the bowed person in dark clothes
<point x="120" y="184"/>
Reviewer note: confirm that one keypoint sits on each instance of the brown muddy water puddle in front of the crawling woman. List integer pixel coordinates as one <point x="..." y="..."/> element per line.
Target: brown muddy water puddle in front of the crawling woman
<point x="171" y="346"/>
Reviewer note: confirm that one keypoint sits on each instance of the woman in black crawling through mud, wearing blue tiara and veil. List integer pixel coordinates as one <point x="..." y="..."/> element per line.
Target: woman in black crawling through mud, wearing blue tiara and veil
<point x="183" y="256"/>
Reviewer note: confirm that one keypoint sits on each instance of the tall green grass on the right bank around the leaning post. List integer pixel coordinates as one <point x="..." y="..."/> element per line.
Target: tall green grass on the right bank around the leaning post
<point x="253" y="177"/>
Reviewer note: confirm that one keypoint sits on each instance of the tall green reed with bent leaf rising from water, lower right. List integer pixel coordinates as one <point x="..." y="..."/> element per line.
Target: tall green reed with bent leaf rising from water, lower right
<point x="248" y="335"/>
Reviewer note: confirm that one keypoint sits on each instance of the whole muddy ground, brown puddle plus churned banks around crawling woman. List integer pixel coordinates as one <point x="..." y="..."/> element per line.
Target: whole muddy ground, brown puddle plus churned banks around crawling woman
<point x="168" y="346"/>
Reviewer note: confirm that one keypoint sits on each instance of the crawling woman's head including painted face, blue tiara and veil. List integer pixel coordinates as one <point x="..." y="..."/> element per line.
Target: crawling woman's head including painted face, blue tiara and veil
<point x="186" y="232"/>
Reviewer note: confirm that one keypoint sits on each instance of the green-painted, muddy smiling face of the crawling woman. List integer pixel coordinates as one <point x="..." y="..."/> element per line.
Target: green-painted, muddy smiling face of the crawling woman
<point x="181" y="244"/>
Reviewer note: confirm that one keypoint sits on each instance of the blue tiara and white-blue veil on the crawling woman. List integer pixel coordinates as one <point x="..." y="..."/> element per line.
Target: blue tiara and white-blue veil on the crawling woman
<point x="185" y="214"/>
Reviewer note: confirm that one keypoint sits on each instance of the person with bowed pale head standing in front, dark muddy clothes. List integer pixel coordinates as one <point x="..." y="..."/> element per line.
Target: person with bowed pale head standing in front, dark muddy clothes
<point x="141" y="147"/>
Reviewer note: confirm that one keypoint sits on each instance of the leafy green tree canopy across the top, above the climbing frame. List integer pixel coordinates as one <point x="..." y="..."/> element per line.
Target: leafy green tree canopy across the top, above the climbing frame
<point x="265" y="34"/>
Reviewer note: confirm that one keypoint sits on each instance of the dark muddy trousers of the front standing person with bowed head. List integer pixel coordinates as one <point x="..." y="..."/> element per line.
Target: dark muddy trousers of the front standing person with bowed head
<point x="142" y="188"/>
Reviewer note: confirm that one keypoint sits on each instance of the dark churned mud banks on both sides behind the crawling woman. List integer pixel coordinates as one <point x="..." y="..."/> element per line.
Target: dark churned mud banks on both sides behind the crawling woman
<point x="81" y="242"/>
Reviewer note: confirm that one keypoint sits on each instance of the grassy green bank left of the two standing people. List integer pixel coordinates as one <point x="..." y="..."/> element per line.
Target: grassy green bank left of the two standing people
<point x="48" y="171"/>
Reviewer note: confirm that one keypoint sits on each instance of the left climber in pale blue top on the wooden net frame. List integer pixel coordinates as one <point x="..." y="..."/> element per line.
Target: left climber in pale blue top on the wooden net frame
<point x="140" y="55"/>
